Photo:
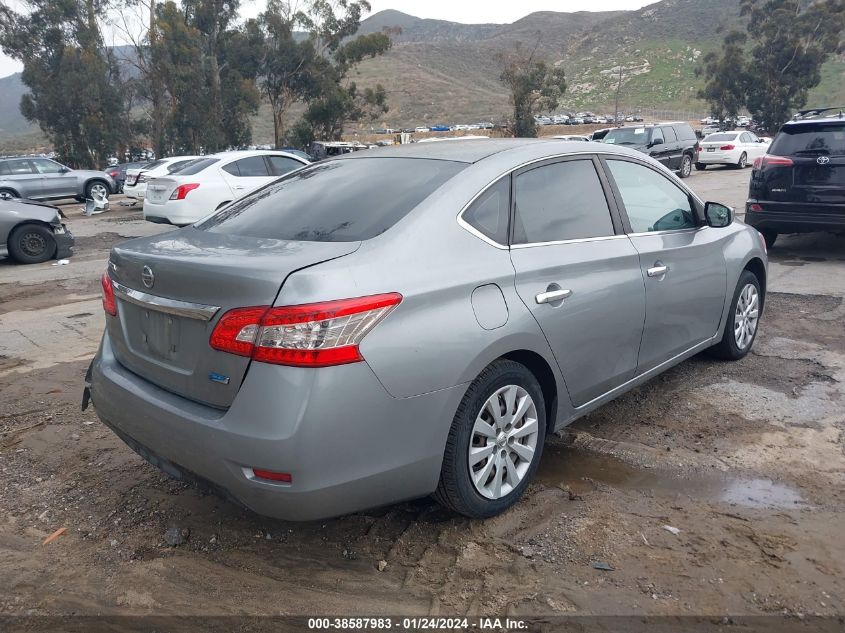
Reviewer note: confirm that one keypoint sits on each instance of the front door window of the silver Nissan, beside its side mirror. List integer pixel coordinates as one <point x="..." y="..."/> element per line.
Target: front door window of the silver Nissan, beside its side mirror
<point x="652" y="201"/>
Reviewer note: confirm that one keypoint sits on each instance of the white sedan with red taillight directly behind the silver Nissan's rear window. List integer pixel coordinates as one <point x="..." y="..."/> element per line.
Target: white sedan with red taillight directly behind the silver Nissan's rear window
<point x="212" y="182"/>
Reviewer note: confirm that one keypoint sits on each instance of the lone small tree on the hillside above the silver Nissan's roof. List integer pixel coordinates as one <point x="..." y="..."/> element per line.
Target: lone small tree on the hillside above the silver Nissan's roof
<point x="533" y="85"/>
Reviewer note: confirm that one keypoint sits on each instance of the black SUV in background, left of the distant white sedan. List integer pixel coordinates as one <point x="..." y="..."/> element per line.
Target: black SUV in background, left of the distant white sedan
<point x="673" y="144"/>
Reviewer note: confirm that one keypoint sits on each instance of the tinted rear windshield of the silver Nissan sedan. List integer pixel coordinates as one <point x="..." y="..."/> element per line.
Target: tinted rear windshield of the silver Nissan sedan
<point x="335" y="201"/>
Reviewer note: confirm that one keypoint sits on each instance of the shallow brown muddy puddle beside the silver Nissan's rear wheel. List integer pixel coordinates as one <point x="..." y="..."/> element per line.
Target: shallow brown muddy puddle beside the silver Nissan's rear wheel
<point x="584" y="472"/>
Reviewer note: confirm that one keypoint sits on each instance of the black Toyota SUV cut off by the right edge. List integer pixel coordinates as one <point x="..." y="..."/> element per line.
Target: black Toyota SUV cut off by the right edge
<point x="799" y="186"/>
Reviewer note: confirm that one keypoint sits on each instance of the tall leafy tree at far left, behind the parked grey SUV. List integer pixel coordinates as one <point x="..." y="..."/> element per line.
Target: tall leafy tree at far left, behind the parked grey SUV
<point x="73" y="80"/>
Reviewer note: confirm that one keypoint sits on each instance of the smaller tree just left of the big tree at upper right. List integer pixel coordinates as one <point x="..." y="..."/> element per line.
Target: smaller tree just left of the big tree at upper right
<point x="726" y="78"/>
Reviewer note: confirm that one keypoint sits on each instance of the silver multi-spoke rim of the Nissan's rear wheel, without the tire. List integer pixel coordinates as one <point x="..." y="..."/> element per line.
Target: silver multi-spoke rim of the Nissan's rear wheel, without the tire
<point x="503" y="442"/>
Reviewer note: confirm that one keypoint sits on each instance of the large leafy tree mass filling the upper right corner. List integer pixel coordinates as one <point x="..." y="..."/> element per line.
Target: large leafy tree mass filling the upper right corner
<point x="790" y="41"/>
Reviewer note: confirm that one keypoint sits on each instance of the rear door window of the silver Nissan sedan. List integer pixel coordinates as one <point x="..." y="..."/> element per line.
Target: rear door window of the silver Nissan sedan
<point x="562" y="201"/>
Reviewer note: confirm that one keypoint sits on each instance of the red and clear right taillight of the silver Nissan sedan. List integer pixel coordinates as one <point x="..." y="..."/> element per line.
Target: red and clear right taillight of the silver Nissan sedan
<point x="311" y="335"/>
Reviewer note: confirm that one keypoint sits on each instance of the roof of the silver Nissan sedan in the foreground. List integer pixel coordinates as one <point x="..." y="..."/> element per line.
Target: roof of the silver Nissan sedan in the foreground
<point x="473" y="151"/>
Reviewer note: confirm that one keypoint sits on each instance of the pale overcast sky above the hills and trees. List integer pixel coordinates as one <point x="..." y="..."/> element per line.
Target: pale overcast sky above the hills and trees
<point x="467" y="11"/>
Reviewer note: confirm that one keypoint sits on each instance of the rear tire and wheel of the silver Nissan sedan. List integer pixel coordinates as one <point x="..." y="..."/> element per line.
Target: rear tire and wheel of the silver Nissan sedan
<point x="495" y="443"/>
